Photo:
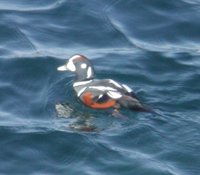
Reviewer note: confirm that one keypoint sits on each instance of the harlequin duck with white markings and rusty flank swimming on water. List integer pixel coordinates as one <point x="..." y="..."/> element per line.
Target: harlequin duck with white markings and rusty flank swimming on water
<point x="100" y="93"/>
